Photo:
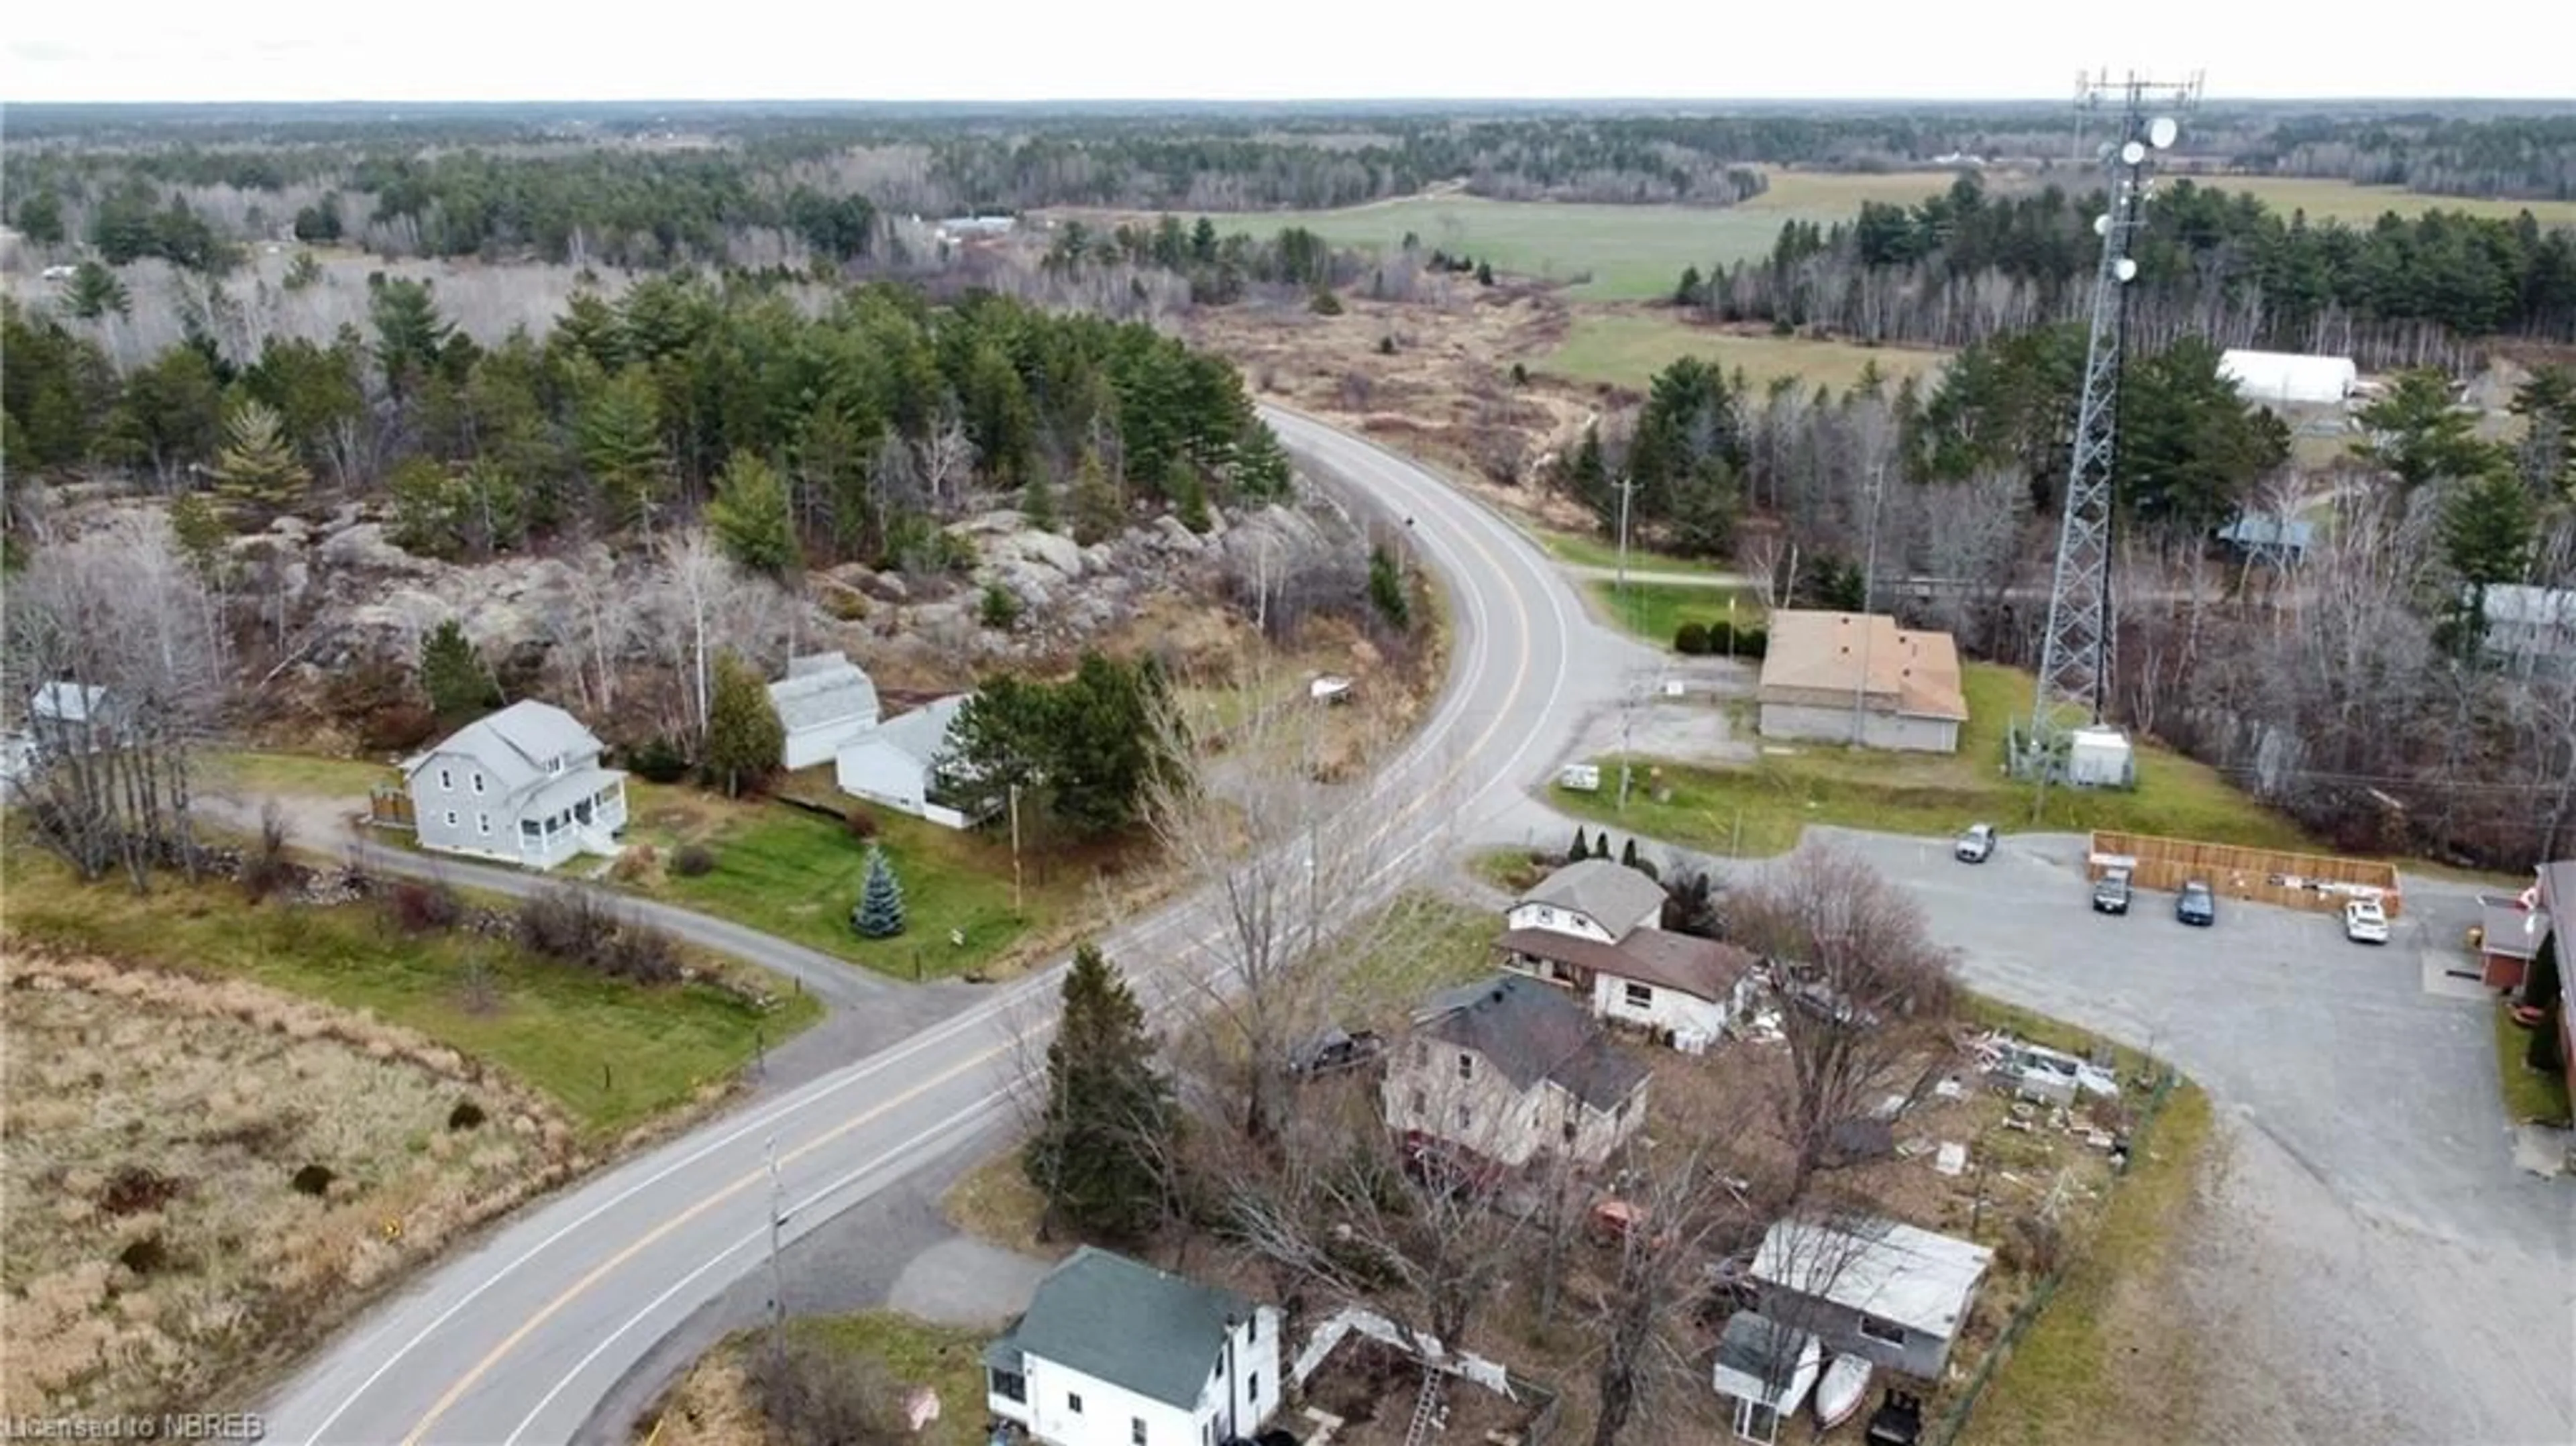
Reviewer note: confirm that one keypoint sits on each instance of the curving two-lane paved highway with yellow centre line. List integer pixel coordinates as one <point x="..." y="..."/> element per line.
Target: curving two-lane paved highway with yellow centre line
<point x="519" y="1339"/>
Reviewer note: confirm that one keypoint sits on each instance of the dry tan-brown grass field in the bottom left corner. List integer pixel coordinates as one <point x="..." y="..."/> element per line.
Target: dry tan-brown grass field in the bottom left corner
<point x="158" y="1251"/>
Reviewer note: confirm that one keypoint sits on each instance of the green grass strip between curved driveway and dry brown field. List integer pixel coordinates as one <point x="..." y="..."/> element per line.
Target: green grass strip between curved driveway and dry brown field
<point x="609" y="1053"/>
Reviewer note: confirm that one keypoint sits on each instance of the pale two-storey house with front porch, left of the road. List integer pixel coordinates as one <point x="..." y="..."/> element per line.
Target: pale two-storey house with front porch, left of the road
<point x="519" y="787"/>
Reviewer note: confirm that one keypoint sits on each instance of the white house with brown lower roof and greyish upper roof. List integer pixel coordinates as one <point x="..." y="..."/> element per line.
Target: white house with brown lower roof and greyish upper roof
<point x="1596" y="932"/>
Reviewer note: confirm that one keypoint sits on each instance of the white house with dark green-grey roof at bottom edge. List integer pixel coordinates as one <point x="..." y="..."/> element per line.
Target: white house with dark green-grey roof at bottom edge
<point x="1122" y="1354"/>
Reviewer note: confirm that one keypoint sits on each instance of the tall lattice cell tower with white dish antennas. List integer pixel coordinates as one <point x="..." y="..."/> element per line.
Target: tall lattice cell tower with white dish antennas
<point x="2075" y="656"/>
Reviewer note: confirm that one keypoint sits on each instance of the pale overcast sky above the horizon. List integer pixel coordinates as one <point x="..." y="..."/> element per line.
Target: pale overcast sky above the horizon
<point x="1063" y="50"/>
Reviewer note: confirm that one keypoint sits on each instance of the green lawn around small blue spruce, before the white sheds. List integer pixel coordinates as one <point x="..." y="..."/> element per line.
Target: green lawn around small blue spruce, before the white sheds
<point x="797" y="875"/>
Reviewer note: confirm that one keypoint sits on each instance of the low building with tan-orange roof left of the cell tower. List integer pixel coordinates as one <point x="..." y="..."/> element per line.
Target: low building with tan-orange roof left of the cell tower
<point x="1830" y="677"/>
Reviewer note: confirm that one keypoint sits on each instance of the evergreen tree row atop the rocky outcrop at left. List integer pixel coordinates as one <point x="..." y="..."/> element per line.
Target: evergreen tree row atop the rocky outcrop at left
<point x="823" y="437"/>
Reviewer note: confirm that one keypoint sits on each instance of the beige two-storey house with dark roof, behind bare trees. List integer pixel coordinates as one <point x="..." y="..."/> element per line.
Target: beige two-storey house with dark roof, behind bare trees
<point x="1511" y="1068"/>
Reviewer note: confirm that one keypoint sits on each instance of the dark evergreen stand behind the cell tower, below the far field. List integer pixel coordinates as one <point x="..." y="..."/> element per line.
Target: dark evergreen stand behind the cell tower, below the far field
<point x="1967" y="267"/>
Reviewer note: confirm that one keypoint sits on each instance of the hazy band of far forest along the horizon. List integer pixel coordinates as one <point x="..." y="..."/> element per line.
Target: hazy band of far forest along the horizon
<point x="661" y="189"/>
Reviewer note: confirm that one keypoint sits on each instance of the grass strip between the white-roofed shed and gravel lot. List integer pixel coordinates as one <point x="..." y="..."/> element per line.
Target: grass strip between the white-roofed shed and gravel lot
<point x="2103" y="1349"/>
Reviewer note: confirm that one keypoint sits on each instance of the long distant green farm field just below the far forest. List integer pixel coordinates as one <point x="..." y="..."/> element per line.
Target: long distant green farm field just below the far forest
<point x="1634" y="254"/>
